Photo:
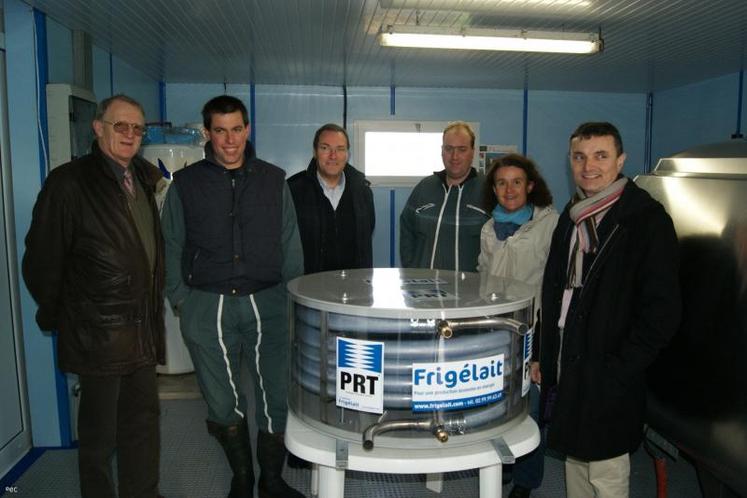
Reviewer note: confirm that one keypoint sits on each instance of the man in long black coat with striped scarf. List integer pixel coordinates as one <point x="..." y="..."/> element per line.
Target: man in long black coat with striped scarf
<point x="610" y="302"/>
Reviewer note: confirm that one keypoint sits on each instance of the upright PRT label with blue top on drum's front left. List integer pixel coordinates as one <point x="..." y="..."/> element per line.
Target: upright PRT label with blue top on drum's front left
<point x="360" y="375"/>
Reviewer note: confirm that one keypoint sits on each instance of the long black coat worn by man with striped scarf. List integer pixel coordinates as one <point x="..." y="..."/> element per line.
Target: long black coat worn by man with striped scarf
<point x="626" y="311"/>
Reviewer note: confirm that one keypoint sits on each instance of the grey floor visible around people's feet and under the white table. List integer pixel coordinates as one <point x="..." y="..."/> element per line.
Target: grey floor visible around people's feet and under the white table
<point x="193" y="466"/>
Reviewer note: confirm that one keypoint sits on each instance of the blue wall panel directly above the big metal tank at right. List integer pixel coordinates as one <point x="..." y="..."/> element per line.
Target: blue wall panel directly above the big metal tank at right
<point x="695" y="114"/>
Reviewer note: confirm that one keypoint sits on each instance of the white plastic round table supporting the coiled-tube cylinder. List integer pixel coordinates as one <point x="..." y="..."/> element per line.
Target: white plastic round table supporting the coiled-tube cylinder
<point x="328" y="478"/>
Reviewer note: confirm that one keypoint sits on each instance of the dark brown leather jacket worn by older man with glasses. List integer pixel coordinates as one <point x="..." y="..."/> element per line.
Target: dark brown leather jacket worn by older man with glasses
<point x="87" y="269"/>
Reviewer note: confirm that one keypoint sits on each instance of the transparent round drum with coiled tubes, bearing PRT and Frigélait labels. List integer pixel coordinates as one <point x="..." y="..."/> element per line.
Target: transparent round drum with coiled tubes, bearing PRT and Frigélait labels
<point x="409" y="357"/>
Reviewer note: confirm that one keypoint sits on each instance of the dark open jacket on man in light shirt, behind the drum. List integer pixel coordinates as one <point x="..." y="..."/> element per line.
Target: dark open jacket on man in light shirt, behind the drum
<point x="310" y="202"/>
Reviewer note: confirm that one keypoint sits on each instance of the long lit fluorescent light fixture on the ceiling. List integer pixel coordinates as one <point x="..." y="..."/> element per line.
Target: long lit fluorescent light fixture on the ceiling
<point x="491" y="39"/>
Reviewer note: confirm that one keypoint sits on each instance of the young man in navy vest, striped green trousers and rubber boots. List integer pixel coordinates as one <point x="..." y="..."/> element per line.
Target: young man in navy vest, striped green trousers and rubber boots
<point x="231" y="246"/>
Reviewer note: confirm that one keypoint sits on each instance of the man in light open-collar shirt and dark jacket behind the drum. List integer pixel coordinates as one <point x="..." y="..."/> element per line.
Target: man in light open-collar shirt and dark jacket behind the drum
<point x="334" y="206"/>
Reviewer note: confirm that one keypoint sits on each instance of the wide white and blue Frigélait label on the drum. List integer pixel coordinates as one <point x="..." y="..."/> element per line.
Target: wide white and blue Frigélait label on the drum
<point x="457" y="385"/>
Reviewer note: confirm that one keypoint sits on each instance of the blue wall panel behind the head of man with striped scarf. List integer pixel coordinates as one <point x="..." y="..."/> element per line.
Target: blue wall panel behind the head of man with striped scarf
<point x="553" y="116"/>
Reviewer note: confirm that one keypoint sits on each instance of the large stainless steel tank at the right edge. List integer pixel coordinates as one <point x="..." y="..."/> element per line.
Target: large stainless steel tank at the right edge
<point x="698" y="385"/>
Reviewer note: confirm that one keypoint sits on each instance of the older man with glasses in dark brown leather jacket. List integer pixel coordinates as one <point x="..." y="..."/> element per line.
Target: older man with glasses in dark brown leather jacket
<point x="94" y="264"/>
